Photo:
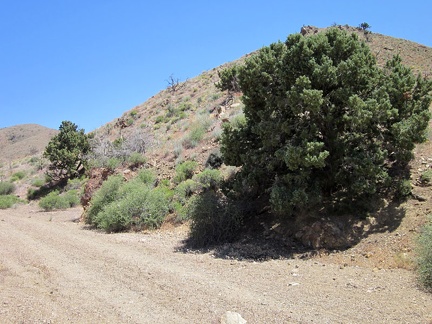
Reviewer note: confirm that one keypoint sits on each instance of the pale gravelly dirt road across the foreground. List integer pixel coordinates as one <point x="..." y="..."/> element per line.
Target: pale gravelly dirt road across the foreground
<point x="53" y="270"/>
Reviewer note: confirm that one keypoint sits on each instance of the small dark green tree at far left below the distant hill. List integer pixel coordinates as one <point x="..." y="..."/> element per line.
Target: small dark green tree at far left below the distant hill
<point x="66" y="152"/>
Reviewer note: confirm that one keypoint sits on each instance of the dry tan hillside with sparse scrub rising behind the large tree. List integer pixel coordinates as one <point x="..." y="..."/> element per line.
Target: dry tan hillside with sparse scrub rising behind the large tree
<point x="172" y="116"/>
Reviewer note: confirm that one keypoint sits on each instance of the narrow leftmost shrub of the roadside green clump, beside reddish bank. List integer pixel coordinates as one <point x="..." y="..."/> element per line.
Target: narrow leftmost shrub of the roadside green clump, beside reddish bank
<point x="107" y="193"/>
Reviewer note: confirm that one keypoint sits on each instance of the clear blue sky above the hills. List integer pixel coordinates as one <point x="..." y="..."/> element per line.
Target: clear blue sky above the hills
<point x="90" y="61"/>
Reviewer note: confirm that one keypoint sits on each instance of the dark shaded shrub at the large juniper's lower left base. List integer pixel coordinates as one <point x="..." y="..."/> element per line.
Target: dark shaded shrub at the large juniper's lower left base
<point x="215" y="219"/>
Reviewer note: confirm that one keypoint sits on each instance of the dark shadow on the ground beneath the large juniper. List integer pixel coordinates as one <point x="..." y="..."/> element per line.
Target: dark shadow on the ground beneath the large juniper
<point x="264" y="237"/>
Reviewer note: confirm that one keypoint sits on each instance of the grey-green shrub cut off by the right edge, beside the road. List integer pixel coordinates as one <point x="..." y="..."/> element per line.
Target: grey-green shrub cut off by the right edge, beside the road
<point x="424" y="253"/>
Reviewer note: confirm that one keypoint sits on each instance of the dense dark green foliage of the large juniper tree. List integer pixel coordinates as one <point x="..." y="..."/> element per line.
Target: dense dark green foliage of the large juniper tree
<point x="324" y="125"/>
